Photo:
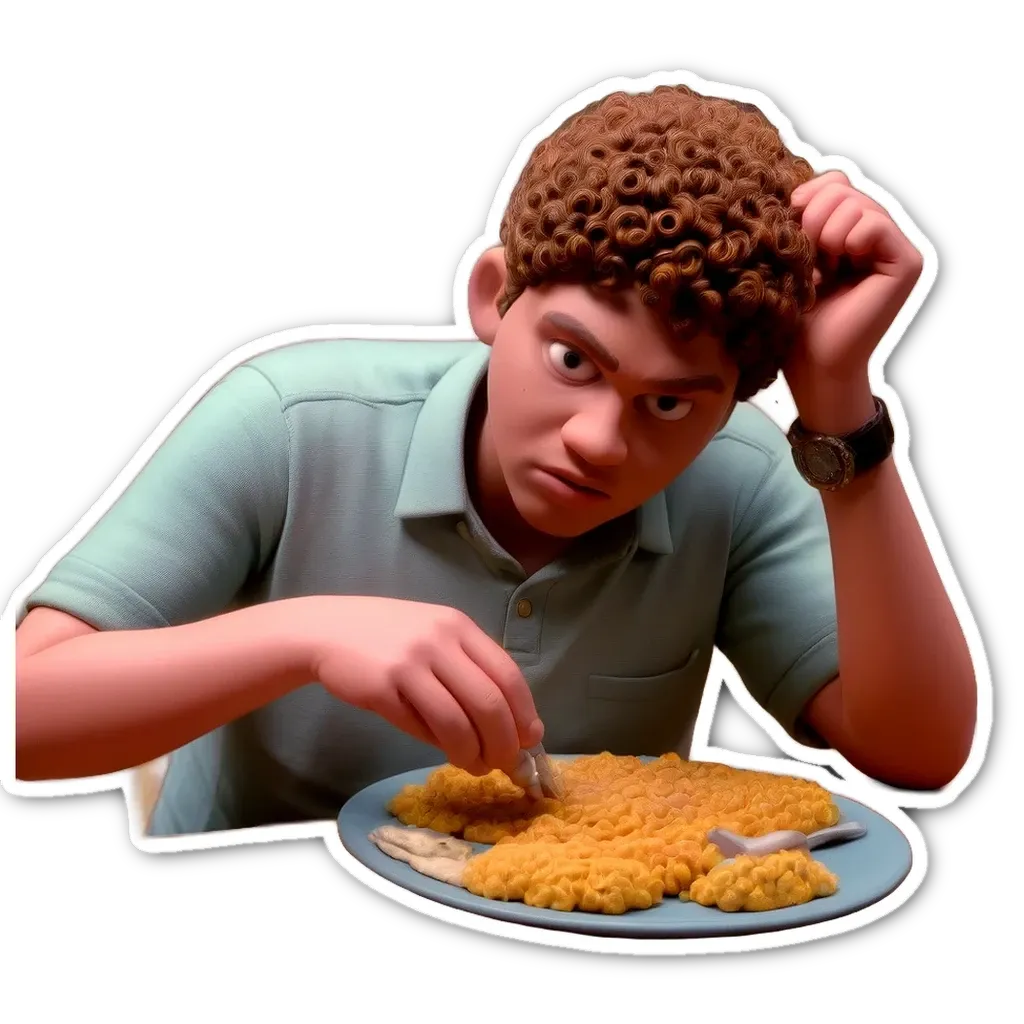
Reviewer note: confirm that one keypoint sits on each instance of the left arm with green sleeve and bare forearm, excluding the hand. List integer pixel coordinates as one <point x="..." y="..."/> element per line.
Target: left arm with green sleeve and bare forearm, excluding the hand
<point x="125" y="653"/>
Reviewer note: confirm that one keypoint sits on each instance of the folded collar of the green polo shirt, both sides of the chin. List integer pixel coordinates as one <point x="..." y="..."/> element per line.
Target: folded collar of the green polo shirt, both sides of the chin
<point x="435" y="481"/>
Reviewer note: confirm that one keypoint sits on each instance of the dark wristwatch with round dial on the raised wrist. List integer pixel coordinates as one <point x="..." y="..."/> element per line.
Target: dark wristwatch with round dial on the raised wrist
<point x="830" y="462"/>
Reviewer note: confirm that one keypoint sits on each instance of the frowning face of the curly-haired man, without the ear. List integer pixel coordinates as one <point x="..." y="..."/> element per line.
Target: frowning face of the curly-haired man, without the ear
<point x="593" y="407"/>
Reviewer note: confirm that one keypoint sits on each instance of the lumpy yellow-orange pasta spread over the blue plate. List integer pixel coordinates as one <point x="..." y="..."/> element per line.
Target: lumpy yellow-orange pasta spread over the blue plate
<point x="628" y="834"/>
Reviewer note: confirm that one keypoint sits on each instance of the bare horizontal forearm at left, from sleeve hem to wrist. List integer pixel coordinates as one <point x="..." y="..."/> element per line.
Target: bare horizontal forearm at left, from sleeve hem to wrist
<point x="111" y="701"/>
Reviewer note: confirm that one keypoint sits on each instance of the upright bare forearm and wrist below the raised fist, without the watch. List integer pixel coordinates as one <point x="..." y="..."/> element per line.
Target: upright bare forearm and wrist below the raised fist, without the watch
<point x="908" y="693"/>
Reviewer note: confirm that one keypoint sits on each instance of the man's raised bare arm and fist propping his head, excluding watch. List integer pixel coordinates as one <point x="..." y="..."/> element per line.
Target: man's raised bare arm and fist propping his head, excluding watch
<point x="904" y="708"/>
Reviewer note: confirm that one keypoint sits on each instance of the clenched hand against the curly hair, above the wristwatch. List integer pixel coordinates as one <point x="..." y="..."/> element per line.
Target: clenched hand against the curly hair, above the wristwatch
<point x="867" y="271"/>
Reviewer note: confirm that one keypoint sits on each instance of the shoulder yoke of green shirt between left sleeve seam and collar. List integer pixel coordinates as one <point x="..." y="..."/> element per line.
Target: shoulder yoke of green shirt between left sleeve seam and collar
<point x="368" y="371"/>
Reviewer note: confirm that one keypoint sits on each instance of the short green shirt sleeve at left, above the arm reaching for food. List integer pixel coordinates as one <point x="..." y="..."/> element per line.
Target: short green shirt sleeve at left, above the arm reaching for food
<point x="200" y="520"/>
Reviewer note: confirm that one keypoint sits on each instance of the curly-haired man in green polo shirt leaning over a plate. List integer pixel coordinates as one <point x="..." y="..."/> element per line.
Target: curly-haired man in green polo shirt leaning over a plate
<point x="357" y="559"/>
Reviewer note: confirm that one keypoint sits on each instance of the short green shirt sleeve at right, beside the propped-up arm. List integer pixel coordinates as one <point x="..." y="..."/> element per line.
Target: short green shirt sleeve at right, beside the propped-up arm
<point x="779" y="620"/>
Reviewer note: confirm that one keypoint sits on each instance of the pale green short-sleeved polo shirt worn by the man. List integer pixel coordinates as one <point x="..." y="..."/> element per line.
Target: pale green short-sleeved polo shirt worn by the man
<point x="336" y="467"/>
